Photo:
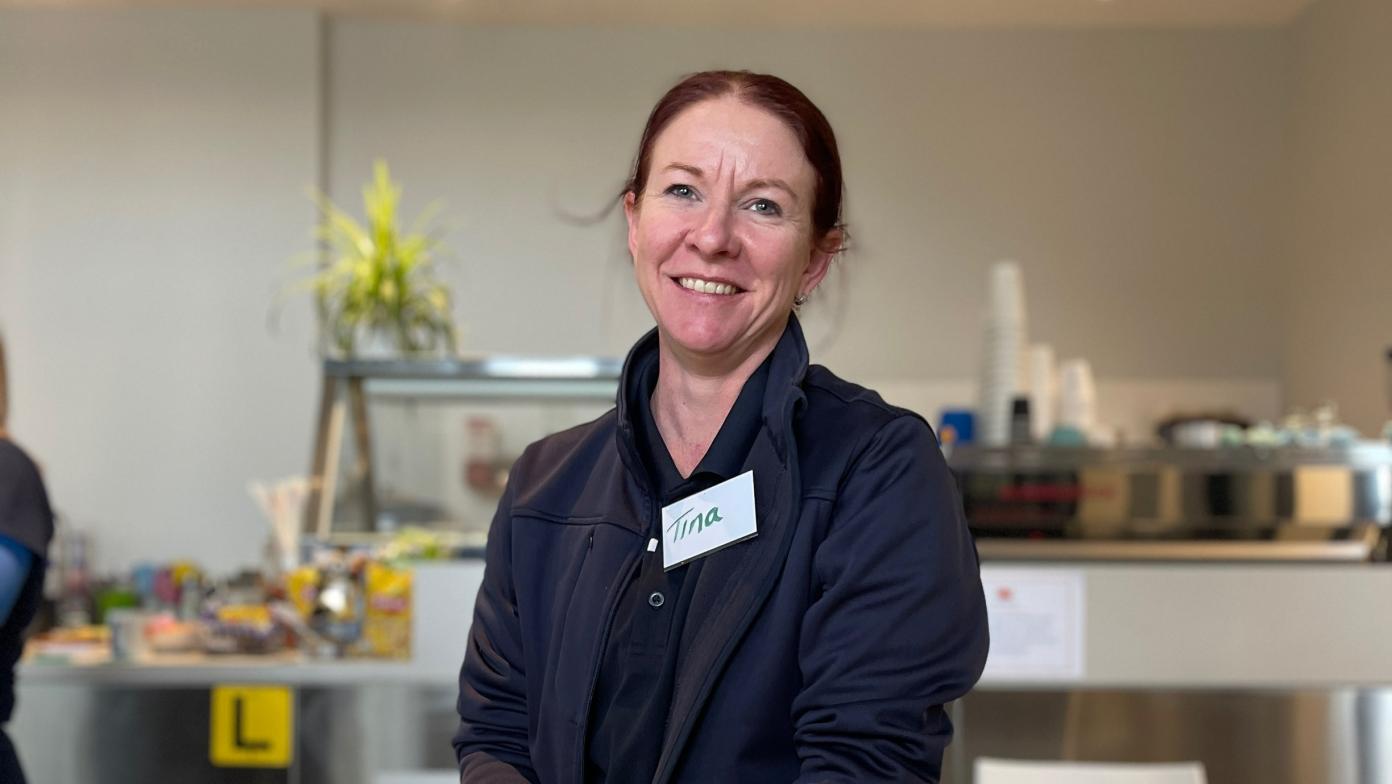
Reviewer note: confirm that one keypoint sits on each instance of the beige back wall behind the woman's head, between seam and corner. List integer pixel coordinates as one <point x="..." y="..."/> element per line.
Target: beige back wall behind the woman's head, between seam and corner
<point x="1137" y="176"/>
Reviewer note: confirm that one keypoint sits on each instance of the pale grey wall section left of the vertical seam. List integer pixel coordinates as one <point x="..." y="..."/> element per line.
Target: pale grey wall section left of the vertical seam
<point x="152" y="178"/>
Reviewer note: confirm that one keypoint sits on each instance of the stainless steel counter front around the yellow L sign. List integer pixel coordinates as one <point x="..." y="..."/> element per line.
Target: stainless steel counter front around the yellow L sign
<point x="148" y="732"/>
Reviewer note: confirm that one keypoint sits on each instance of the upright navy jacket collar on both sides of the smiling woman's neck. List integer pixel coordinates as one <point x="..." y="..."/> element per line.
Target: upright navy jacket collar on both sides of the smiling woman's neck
<point x="786" y="374"/>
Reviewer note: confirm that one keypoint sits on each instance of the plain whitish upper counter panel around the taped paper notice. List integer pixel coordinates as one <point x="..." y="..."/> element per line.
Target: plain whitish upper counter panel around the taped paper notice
<point x="1228" y="626"/>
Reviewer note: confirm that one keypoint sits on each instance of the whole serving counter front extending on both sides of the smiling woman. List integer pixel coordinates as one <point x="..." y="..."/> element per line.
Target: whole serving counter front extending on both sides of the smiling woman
<point x="1269" y="673"/>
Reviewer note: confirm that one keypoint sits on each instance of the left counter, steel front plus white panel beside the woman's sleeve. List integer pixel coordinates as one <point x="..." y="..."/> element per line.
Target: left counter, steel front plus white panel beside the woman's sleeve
<point x="354" y="722"/>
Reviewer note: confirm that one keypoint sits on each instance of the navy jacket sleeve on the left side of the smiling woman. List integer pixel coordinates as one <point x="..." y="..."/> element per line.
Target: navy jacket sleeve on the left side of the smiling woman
<point x="492" y="742"/>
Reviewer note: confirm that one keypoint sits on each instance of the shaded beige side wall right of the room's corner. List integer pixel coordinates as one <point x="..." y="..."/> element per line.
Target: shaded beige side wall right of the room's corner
<point x="1340" y="310"/>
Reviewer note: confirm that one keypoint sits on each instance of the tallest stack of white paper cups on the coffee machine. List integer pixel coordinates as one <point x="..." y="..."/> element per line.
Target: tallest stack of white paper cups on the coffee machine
<point x="1004" y="357"/>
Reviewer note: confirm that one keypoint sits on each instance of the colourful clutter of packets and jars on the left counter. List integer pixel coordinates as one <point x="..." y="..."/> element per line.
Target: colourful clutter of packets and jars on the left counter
<point x="349" y="602"/>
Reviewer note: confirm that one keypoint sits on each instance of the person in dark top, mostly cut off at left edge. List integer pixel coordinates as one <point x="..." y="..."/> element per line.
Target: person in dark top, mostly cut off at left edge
<point x="26" y="530"/>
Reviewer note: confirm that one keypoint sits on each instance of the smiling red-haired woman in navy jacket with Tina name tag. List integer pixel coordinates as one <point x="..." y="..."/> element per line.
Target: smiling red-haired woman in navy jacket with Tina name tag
<point x="821" y="650"/>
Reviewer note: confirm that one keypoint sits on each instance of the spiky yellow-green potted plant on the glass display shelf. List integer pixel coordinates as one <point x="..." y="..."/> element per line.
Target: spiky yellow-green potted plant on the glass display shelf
<point x="377" y="288"/>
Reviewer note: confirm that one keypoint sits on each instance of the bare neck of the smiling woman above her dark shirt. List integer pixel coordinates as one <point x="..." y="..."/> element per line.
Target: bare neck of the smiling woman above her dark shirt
<point x="693" y="400"/>
